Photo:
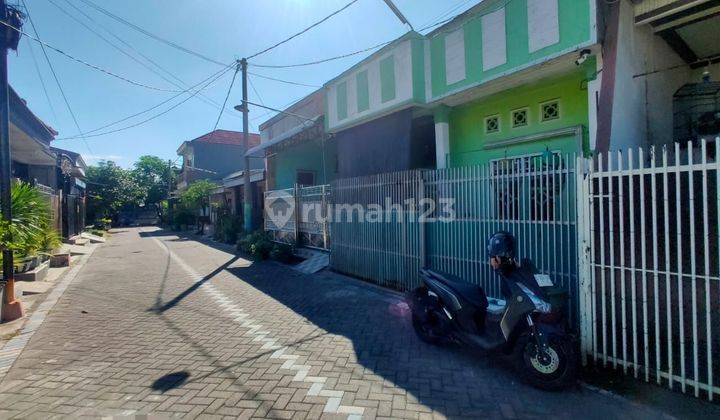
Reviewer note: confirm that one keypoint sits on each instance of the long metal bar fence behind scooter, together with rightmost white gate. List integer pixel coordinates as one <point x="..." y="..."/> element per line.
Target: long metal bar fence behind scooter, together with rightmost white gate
<point x="634" y="237"/>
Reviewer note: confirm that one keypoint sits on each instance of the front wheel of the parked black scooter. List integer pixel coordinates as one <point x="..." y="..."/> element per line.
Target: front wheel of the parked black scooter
<point x="552" y="369"/>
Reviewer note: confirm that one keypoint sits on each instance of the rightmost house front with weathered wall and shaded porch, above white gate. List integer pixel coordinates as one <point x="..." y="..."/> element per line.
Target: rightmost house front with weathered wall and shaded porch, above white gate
<point x="661" y="77"/>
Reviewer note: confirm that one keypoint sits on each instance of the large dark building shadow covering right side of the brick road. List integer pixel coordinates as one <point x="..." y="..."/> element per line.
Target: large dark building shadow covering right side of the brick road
<point x="447" y="379"/>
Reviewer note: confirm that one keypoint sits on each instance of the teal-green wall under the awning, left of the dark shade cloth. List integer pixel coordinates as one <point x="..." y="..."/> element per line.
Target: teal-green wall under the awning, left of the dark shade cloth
<point x="305" y="156"/>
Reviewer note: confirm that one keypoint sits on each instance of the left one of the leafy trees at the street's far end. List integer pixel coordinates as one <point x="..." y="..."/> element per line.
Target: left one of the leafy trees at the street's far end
<point x="112" y="189"/>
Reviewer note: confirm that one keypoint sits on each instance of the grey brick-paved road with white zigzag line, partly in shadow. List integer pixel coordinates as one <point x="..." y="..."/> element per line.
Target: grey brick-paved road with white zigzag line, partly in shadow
<point x="155" y="324"/>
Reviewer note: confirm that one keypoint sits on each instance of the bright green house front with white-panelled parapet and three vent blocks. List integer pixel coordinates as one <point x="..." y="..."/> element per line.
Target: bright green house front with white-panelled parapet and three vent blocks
<point x="509" y="78"/>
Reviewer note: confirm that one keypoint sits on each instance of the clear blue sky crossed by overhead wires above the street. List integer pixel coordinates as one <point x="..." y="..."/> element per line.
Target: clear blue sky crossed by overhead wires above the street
<point x="222" y="29"/>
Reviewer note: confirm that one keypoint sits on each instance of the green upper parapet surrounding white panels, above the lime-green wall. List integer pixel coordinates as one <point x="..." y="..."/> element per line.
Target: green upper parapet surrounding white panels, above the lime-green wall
<point x="574" y="20"/>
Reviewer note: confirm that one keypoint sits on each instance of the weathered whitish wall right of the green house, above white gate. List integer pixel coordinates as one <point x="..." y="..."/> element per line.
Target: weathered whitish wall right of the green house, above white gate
<point x="643" y="105"/>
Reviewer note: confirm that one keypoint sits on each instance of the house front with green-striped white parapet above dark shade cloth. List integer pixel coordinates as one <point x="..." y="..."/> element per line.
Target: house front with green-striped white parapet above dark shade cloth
<point x="376" y="112"/>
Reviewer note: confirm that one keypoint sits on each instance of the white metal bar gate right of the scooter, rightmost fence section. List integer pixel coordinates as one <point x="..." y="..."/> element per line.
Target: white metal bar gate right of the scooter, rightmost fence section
<point x="649" y="298"/>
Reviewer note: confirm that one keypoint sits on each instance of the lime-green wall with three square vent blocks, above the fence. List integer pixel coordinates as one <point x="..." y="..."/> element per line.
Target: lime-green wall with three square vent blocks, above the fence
<point x="467" y="122"/>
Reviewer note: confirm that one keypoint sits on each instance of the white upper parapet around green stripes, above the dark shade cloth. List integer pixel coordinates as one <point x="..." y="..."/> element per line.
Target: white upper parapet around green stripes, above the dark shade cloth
<point x="402" y="53"/>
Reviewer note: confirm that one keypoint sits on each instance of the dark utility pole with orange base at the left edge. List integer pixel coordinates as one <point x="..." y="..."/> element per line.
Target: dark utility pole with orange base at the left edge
<point x="11" y="308"/>
